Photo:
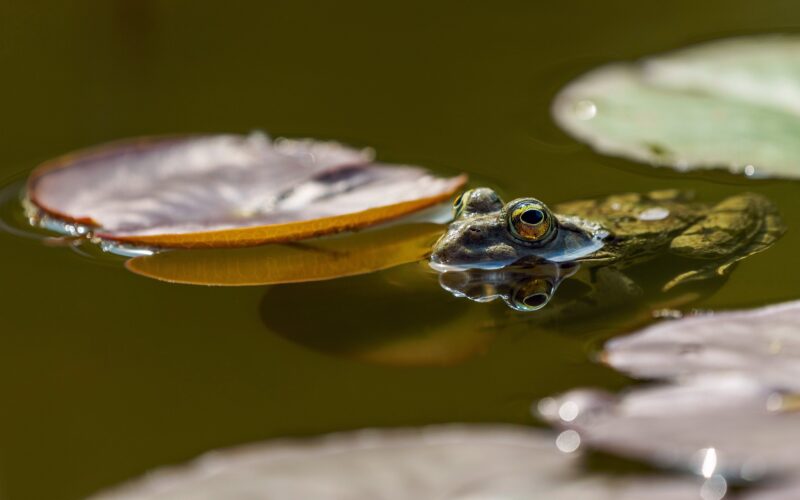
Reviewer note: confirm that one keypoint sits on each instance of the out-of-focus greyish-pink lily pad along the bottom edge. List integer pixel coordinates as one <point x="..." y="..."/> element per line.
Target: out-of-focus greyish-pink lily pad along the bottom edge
<point x="449" y="462"/>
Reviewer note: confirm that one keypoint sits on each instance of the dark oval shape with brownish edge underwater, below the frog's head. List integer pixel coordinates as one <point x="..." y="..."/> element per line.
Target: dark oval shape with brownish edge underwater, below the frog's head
<point x="419" y="325"/>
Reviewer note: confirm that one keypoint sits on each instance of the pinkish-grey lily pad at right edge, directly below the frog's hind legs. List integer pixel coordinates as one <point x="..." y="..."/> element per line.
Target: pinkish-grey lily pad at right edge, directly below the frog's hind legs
<point x="762" y="343"/>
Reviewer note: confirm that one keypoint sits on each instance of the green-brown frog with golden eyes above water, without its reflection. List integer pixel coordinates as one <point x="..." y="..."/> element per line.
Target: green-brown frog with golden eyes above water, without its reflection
<point x="615" y="232"/>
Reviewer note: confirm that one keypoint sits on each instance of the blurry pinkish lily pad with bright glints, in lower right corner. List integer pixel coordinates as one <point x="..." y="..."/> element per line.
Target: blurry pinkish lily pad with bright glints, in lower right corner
<point x="714" y="425"/>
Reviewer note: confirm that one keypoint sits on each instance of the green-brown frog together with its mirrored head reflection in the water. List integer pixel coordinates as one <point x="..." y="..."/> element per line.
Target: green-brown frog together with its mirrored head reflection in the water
<point x="521" y="251"/>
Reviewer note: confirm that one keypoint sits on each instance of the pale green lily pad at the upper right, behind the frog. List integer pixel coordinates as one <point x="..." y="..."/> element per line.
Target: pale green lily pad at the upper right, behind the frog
<point x="732" y="104"/>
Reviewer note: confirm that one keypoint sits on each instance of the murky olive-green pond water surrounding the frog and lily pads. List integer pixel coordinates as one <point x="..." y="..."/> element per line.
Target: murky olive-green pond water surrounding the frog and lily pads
<point x="105" y="374"/>
